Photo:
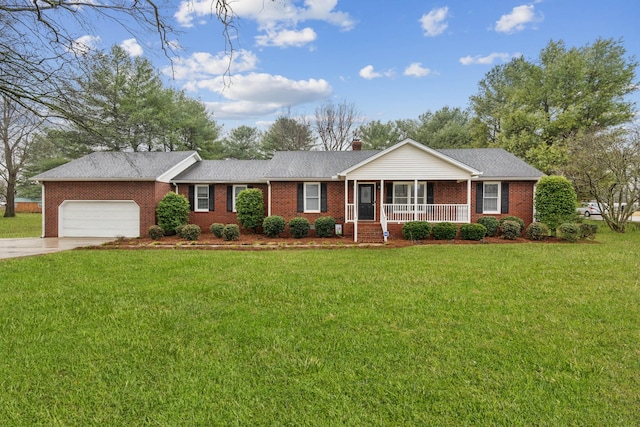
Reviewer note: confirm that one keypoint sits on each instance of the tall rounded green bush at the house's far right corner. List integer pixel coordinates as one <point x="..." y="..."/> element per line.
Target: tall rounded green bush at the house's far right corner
<point x="555" y="201"/>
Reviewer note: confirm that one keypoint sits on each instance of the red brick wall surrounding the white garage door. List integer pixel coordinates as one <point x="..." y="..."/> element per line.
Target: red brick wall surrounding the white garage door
<point x="145" y="194"/>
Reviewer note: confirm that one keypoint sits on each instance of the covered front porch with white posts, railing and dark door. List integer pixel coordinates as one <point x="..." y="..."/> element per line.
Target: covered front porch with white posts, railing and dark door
<point x="385" y="202"/>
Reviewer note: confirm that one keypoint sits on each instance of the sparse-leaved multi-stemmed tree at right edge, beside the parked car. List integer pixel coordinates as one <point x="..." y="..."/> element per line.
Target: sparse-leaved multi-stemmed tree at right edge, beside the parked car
<point x="605" y="166"/>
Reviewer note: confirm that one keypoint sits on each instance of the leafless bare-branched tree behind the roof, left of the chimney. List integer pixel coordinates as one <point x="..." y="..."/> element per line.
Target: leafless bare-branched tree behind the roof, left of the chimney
<point x="335" y="125"/>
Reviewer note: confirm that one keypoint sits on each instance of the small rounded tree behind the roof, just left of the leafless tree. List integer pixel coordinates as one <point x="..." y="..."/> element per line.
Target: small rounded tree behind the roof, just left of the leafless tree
<point x="287" y="134"/>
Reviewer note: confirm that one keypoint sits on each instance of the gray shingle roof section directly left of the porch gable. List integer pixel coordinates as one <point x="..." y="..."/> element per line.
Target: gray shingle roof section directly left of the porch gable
<point x="314" y="164"/>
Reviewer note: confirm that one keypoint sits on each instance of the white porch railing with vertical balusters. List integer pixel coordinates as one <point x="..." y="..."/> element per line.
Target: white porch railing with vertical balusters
<point x="431" y="213"/>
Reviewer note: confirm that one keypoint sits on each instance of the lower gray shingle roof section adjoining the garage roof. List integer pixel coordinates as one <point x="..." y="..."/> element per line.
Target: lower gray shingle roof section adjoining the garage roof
<point x="225" y="171"/>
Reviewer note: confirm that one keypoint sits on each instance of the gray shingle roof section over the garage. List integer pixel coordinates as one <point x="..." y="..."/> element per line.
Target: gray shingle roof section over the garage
<point x="116" y="166"/>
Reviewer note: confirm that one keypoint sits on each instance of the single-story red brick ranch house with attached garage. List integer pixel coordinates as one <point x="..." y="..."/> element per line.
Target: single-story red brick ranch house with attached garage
<point x="371" y="194"/>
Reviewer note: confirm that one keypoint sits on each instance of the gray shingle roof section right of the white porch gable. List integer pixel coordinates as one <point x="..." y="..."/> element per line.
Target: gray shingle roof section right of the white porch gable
<point x="493" y="162"/>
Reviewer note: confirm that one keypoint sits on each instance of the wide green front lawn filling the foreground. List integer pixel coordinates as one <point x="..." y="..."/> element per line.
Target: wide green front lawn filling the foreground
<point x="526" y="334"/>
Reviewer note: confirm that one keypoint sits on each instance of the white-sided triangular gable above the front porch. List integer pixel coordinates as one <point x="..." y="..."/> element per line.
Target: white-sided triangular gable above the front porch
<point x="408" y="162"/>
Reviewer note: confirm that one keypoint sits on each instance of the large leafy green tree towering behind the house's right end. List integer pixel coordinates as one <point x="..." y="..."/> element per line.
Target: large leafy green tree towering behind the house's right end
<point x="532" y="108"/>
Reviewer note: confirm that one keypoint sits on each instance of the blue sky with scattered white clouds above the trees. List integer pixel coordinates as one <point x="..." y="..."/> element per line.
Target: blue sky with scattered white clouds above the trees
<point x="392" y="59"/>
